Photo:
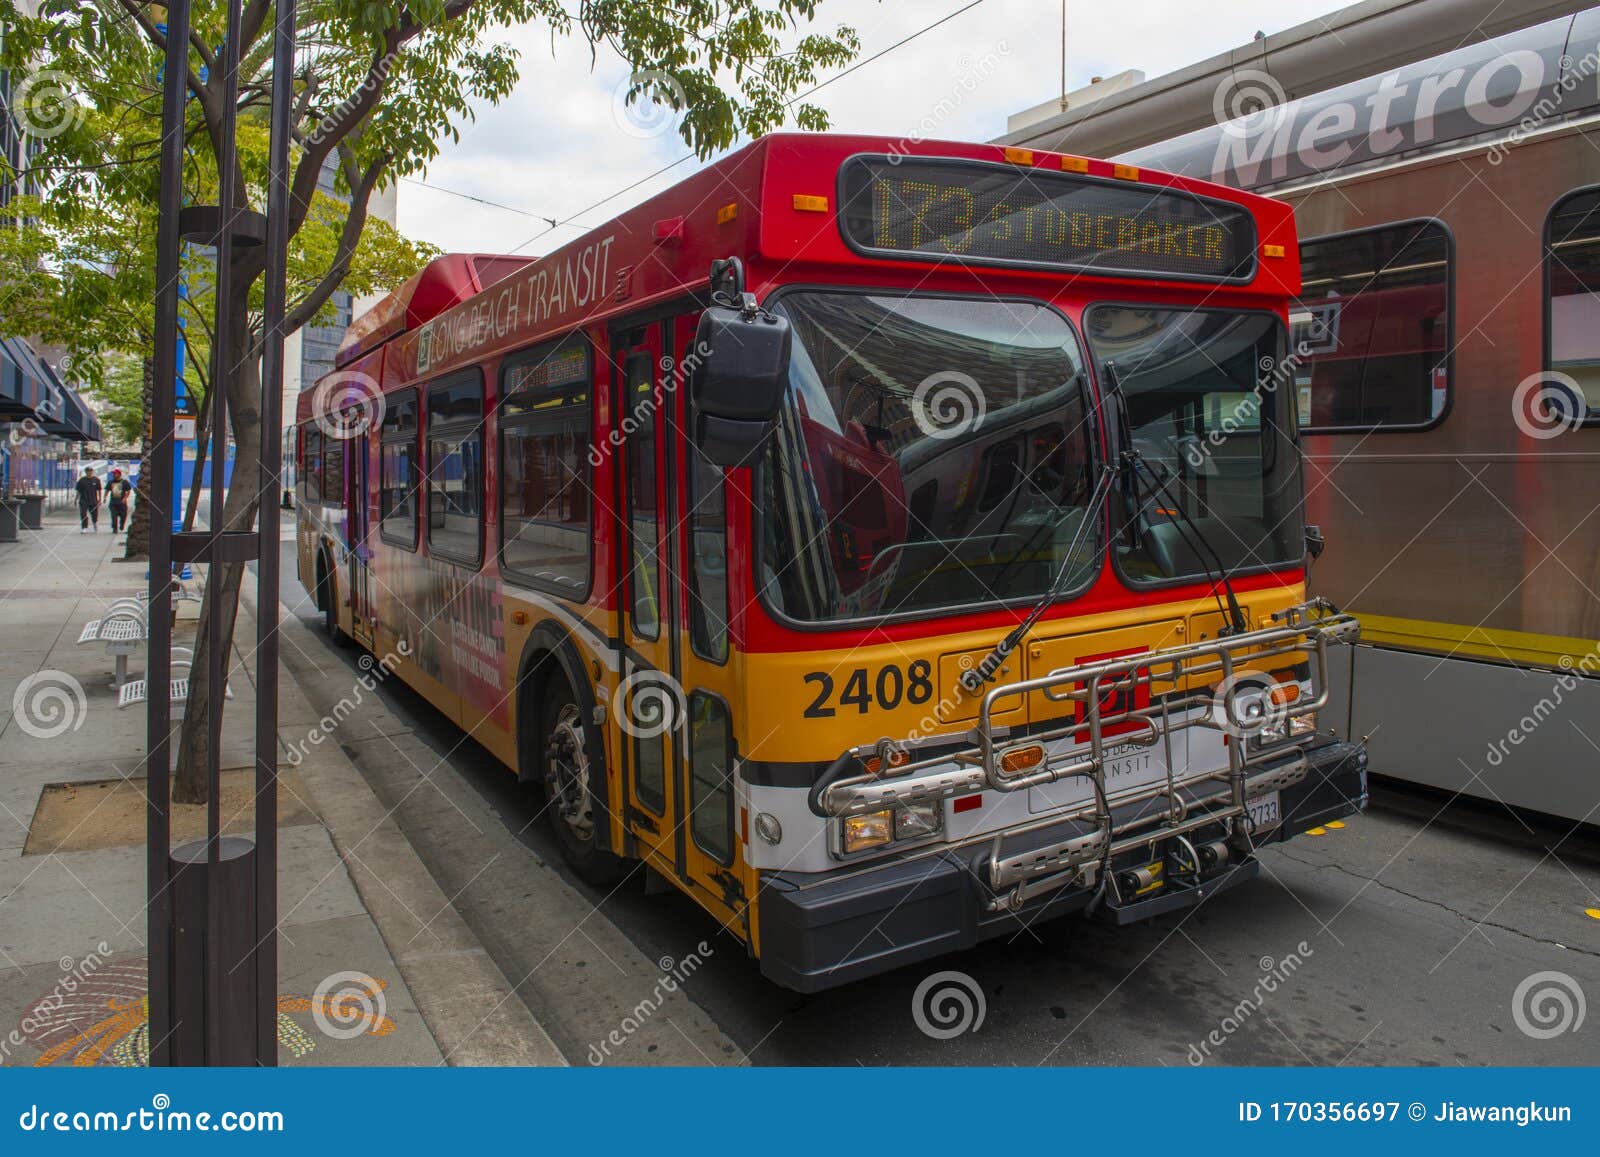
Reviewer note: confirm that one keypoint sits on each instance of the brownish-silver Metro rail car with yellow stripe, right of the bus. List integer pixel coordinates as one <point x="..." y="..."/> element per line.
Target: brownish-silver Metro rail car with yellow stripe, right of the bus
<point x="1450" y="398"/>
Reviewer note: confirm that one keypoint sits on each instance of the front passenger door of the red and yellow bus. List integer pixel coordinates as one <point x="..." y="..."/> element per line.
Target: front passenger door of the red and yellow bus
<point x="666" y="713"/>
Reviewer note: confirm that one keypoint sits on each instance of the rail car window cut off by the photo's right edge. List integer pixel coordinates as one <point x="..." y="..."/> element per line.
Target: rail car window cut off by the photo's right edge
<point x="1572" y="286"/>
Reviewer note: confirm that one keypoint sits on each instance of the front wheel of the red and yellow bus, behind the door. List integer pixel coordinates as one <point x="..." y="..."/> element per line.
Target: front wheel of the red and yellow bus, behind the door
<point x="575" y="791"/>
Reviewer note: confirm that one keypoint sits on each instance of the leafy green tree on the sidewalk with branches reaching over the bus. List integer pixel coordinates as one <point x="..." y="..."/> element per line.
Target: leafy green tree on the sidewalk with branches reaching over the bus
<point x="378" y="89"/>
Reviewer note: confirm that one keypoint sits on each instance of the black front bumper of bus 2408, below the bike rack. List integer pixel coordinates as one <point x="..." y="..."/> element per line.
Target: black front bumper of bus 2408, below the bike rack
<point x="820" y="932"/>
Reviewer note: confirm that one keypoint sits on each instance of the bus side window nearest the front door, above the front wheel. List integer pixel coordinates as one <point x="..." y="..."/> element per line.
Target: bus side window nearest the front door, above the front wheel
<point x="545" y="468"/>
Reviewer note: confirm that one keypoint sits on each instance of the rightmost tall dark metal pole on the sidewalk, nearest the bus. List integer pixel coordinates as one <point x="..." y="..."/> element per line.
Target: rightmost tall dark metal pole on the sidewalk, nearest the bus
<point x="268" y="543"/>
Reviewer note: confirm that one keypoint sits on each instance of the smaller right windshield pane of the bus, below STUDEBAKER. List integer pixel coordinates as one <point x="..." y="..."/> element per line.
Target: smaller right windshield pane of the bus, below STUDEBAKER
<point x="1209" y="412"/>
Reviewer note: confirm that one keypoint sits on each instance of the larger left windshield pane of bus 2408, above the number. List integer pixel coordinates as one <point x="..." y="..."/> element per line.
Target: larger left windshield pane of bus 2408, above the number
<point x="932" y="454"/>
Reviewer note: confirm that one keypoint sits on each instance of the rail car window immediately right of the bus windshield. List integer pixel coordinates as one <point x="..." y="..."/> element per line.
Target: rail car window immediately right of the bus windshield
<point x="1372" y="329"/>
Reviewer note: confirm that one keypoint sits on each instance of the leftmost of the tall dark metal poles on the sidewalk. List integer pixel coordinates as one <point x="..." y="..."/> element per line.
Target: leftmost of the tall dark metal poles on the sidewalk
<point x="158" y="719"/>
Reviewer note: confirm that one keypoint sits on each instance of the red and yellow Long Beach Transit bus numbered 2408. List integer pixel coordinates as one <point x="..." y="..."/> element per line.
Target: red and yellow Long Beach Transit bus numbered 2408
<point x="887" y="545"/>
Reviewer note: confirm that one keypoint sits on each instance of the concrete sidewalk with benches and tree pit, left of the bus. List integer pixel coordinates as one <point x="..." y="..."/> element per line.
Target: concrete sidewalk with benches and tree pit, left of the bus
<point x="359" y="915"/>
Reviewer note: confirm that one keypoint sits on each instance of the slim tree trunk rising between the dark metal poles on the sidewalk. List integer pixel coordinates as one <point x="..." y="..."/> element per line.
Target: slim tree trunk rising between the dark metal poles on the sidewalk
<point x="223" y="582"/>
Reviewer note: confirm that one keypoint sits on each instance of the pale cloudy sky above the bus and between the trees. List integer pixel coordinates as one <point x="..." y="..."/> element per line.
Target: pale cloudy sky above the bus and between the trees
<point x="561" y="143"/>
